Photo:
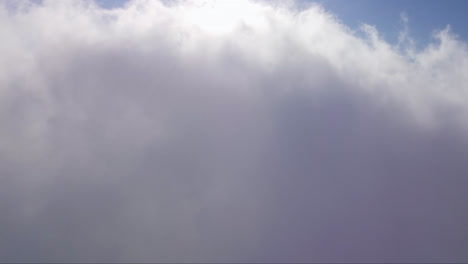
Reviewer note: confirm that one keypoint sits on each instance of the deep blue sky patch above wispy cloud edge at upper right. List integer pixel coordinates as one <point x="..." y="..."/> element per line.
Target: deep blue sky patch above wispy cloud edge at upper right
<point x="424" y="16"/>
